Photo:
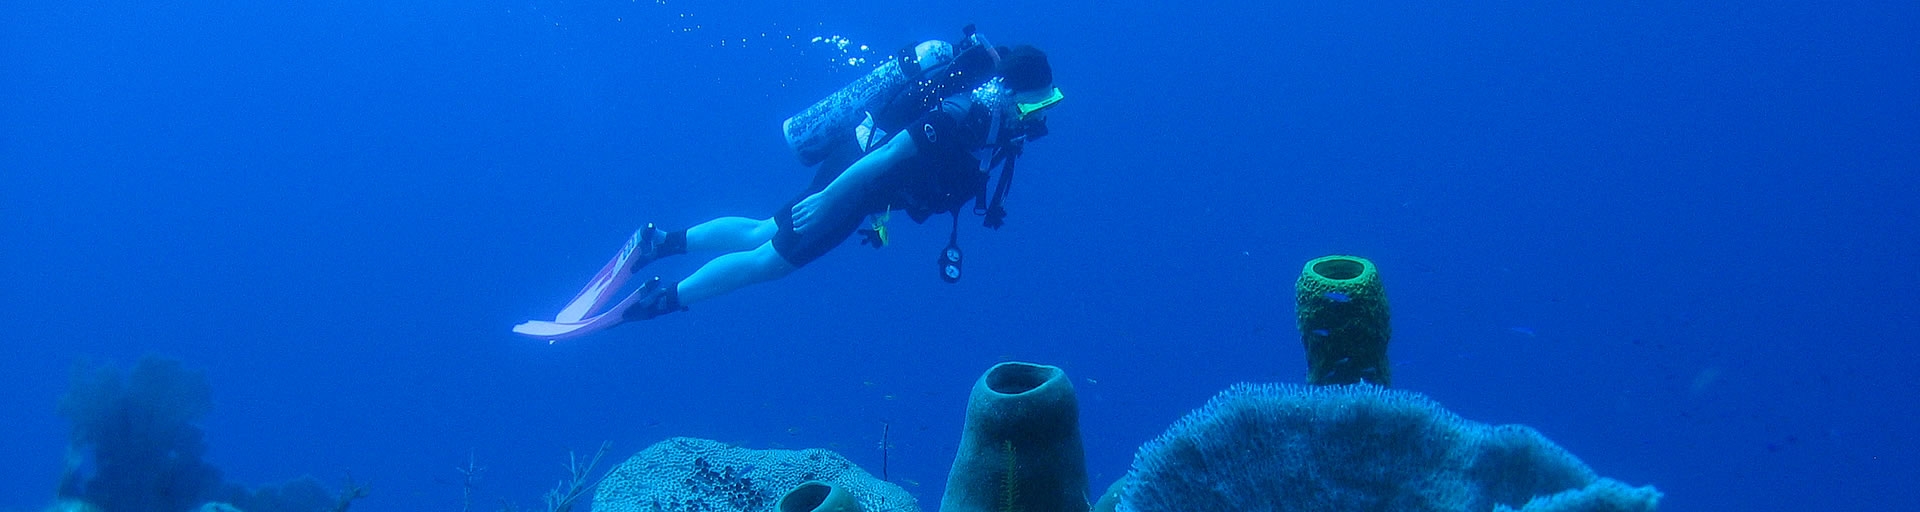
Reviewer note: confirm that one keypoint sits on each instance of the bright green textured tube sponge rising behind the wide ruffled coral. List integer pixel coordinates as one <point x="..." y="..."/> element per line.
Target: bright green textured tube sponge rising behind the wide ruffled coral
<point x="1343" y="321"/>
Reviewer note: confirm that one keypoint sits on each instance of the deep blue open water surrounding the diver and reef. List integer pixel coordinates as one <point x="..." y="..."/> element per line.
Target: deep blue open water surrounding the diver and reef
<point x="1675" y="237"/>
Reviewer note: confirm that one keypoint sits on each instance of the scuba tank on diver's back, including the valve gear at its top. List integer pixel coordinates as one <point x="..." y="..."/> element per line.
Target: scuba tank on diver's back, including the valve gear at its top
<point x="923" y="72"/>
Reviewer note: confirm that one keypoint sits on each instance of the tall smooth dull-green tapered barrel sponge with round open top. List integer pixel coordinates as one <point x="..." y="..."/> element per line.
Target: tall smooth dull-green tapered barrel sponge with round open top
<point x="1020" y="450"/>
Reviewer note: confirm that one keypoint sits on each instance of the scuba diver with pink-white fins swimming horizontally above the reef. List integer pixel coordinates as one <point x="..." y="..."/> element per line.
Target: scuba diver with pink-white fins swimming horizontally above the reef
<point x="923" y="135"/>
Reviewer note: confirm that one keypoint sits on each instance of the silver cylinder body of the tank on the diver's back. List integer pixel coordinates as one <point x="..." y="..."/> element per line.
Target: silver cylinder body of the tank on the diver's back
<point x="815" y="131"/>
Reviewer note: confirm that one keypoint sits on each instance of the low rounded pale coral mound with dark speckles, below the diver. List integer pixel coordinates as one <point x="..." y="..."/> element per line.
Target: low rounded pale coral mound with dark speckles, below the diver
<point x="711" y="477"/>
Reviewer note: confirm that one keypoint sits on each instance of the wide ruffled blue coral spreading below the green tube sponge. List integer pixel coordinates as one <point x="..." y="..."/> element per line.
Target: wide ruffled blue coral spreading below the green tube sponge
<point x="1353" y="448"/>
